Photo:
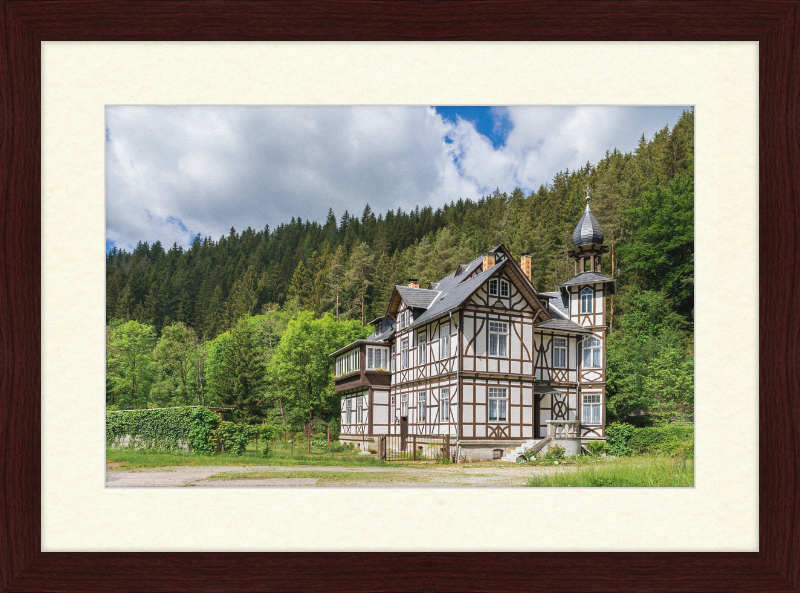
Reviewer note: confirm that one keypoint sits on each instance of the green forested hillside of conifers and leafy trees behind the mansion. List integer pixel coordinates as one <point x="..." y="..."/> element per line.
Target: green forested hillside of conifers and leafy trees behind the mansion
<point x="247" y="320"/>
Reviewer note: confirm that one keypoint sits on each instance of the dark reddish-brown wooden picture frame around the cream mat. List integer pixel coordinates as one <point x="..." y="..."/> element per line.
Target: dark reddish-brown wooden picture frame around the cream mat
<point x="775" y="24"/>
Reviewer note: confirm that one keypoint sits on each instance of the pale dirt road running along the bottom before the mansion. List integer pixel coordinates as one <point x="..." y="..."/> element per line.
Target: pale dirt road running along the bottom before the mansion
<point x="481" y="475"/>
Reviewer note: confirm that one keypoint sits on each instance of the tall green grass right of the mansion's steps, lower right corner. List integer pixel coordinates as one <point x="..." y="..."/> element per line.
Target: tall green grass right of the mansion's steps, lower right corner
<point x="644" y="471"/>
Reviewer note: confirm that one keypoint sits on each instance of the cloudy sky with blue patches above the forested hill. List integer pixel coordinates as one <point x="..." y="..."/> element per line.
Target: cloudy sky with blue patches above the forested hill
<point x="174" y="171"/>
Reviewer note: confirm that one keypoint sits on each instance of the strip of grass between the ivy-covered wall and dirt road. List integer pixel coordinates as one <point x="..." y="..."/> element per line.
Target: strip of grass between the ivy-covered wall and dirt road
<point x="280" y="454"/>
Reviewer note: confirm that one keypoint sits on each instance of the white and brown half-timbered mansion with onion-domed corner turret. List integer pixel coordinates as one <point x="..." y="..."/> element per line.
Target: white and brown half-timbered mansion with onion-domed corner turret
<point x="483" y="357"/>
